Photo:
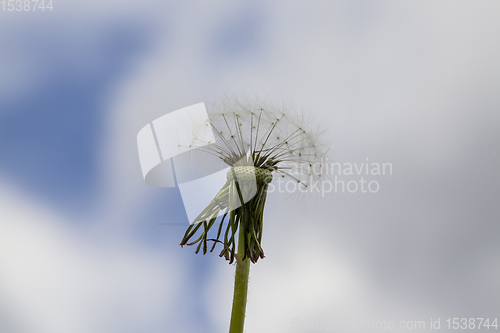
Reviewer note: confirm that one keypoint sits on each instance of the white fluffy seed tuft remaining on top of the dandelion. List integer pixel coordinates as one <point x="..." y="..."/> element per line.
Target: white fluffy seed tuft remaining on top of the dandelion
<point x="276" y="137"/>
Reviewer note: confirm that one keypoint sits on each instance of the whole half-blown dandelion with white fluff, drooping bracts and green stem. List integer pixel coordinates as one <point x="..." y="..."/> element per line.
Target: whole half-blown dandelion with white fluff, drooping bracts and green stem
<point x="258" y="141"/>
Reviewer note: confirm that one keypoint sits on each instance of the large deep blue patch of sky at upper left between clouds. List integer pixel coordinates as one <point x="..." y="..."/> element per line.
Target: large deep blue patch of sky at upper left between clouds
<point x="50" y="134"/>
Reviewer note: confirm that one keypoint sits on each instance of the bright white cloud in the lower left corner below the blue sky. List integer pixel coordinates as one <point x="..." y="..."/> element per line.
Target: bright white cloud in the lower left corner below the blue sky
<point x="55" y="278"/>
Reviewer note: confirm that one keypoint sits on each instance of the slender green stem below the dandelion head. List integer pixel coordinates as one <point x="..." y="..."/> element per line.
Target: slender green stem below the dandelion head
<point x="240" y="286"/>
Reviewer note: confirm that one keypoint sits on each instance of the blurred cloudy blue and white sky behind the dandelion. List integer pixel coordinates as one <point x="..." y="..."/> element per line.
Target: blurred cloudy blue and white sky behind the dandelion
<point x="87" y="246"/>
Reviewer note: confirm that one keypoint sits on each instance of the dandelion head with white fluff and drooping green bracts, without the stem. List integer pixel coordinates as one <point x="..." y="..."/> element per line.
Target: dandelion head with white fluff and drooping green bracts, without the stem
<point x="262" y="141"/>
